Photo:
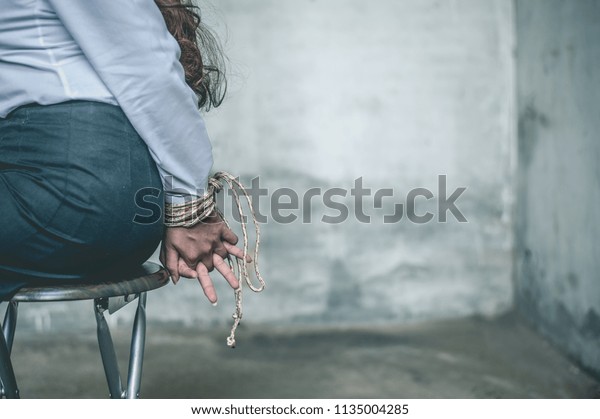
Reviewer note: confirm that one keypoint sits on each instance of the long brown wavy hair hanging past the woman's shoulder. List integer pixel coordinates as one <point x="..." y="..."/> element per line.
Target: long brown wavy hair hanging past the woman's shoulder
<point x="201" y="54"/>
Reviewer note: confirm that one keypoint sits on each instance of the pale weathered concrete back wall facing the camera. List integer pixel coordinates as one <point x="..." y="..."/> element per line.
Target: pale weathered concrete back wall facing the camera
<point x="397" y="92"/>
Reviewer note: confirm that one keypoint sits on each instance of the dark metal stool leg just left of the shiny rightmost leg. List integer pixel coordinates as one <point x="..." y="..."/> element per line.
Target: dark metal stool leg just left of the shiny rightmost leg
<point x="107" y="350"/>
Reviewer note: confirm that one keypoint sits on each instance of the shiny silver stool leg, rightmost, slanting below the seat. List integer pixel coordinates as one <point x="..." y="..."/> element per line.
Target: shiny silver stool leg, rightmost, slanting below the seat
<point x="136" y="355"/>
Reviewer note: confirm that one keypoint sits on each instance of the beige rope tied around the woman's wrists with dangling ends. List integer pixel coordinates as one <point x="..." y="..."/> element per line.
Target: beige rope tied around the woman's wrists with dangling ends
<point x="191" y="213"/>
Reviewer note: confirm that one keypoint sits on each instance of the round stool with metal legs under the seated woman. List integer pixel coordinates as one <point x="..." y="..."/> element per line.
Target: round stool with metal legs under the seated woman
<point x="108" y="295"/>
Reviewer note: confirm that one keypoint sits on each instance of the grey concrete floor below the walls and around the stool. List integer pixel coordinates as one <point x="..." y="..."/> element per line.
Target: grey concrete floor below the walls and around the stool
<point x="468" y="358"/>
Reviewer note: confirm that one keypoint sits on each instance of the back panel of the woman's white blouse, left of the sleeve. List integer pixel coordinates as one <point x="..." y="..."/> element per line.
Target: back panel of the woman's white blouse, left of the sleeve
<point x="40" y="62"/>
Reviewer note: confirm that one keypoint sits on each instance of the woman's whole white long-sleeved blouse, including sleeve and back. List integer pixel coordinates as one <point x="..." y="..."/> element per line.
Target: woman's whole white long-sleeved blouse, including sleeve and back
<point x="111" y="51"/>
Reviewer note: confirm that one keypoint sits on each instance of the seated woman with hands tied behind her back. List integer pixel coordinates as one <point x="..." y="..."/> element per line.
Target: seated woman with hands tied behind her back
<point x="95" y="107"/>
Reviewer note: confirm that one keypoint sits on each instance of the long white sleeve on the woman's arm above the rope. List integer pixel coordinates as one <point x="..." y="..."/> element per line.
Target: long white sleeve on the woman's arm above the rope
<point x="130" y="48"/>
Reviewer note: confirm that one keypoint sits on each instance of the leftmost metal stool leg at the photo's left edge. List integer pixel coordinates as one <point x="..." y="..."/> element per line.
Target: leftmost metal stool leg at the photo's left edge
<point x="8" y="383"/>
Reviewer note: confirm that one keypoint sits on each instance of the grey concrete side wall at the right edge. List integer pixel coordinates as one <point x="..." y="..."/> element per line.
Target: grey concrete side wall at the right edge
<point x="558" y="251"/>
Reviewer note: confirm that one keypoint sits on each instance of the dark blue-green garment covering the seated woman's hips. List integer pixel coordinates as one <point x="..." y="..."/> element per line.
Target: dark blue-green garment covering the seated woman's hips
<point x="69" y="174"/>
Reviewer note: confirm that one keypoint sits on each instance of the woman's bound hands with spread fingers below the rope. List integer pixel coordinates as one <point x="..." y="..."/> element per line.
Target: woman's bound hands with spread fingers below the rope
<point x="193" y="252"/>
